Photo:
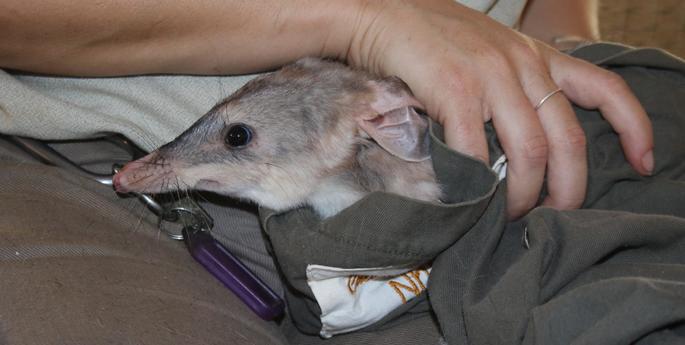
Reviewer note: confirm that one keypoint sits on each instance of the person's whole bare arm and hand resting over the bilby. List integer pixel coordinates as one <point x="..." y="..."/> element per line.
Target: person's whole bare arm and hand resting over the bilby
<point x="465" y="68"/>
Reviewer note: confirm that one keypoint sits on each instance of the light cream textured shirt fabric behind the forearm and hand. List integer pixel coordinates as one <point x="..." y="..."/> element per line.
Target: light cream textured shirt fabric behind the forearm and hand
<point x="150" y="110"/>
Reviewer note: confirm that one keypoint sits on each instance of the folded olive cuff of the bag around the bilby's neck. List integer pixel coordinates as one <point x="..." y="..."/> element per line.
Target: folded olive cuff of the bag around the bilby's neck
<point x="382" y="230"/>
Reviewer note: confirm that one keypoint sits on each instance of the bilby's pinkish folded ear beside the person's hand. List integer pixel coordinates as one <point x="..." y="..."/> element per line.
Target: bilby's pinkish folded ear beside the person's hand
<point x="402" y="132"/>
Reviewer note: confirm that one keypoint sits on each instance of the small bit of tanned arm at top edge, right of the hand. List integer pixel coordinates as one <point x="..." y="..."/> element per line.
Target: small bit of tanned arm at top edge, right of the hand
<point x="547" y="19"/>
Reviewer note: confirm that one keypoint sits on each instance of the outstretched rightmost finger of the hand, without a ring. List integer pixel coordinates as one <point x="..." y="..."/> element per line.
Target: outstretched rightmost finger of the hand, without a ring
<point x="592" y="87"/>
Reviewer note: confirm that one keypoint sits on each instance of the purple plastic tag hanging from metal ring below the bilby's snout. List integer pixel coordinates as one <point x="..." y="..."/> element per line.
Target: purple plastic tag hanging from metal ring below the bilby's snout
<point x="233" y="274"/>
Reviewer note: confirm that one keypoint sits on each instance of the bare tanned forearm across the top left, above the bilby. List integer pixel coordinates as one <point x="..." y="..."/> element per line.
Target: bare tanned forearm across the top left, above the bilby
<point x="141" y="37"/>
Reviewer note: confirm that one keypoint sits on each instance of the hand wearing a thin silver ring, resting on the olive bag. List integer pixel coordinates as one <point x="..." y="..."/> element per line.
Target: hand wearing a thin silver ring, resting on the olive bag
<point x="468" y="69"/>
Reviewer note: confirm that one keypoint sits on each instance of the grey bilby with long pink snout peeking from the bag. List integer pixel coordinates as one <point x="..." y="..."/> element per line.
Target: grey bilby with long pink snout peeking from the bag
<point x="314" y="133"/>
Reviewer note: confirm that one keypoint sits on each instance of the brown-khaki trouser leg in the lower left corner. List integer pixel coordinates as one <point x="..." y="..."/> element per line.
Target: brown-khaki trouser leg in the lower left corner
<point x="78" y="267"/>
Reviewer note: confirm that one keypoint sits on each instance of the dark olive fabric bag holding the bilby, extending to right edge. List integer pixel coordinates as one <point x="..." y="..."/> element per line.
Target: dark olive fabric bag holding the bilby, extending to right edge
<point x="611" y="273"/>
